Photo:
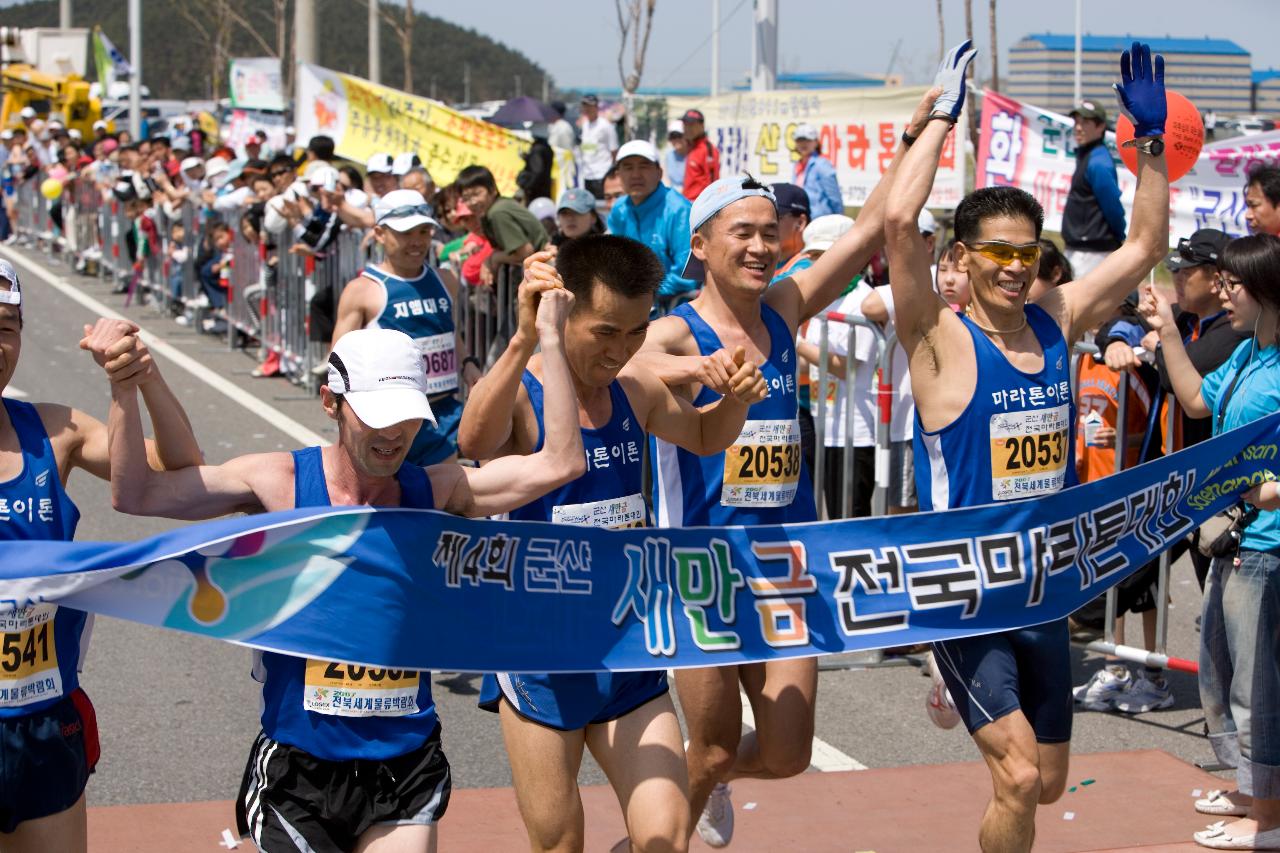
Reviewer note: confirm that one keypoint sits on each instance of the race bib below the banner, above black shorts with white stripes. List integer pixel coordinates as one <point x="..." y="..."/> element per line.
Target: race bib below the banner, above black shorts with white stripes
<point x="354" y="691"/>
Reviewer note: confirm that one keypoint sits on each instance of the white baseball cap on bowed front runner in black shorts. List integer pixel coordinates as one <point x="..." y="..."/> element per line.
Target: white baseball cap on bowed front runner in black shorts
<point x="382" y="375"/>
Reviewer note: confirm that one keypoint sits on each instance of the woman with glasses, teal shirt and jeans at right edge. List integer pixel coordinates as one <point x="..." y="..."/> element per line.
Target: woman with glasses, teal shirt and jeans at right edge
<point x="1240" y="668"/>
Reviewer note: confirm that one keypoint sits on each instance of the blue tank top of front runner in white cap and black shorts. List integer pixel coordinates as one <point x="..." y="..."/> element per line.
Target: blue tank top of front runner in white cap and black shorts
<point x="340" y="711"/>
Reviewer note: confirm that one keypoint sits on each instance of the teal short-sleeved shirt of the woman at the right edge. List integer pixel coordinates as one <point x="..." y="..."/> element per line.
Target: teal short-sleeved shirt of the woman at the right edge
<point x="1256" y="395"/>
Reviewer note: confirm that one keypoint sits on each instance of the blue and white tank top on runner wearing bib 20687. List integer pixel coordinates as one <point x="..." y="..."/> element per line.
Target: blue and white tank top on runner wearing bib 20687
<point x="423" y="311"/>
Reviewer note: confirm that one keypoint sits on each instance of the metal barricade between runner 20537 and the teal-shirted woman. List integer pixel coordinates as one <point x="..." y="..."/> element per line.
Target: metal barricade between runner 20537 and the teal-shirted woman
<point x="1159" y="656"/>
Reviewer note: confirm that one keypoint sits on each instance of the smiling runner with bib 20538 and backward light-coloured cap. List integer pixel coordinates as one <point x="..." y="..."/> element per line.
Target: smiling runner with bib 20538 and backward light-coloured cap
<point x="735" y="250"/>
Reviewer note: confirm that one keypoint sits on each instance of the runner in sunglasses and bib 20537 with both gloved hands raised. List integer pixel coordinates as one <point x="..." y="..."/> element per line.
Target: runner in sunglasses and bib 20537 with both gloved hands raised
<point x="995" y="416"/>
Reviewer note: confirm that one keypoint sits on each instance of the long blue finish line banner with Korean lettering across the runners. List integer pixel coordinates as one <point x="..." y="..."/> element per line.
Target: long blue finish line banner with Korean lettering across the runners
<point x="426" y="591"/>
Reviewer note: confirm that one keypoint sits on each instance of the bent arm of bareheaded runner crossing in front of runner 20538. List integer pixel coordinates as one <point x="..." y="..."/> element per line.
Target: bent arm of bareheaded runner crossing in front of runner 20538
<point x="706" y="431"/>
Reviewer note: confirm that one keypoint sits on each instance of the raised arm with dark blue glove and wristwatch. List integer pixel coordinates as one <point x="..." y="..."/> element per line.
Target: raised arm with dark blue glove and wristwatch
<point x="1084" y="304"/>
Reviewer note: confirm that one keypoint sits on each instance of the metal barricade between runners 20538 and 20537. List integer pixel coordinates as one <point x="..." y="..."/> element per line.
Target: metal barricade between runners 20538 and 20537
<point x="884" y="391"/>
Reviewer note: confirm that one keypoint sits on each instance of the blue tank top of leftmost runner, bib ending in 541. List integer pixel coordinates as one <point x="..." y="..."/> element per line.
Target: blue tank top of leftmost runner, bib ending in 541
<point x="40" y="645"/>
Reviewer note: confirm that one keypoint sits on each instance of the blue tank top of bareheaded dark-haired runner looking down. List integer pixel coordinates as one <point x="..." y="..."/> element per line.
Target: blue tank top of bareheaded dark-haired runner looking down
<point x="610" y="494"/>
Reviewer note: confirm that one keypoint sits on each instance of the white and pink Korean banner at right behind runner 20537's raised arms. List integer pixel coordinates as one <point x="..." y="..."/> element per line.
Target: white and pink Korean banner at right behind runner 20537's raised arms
<point x="1026" y="147"/>
